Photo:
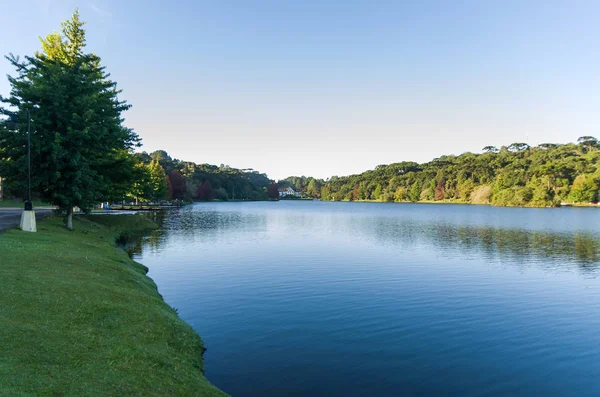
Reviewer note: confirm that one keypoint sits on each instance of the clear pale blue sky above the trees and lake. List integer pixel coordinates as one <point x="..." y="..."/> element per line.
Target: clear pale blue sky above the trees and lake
<point x="326" y="87"/>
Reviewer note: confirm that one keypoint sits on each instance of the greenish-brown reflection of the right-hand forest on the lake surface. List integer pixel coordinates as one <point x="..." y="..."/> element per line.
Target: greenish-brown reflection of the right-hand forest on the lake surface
<point x="513" y="244"/>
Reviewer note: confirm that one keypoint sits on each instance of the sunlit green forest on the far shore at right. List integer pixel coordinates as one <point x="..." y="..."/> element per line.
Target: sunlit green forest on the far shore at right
<point x="545" y="175"/>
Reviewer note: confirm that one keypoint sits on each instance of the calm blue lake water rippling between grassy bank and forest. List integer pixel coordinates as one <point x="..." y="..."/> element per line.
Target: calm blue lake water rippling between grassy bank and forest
<point x="360" y="299"/>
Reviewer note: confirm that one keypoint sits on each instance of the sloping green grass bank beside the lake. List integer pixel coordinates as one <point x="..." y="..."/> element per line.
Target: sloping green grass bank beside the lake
<point x="78" y="317"/>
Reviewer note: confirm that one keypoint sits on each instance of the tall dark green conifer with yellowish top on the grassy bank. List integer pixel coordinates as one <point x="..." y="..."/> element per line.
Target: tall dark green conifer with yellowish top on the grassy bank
<point x="80" y="149"/>
